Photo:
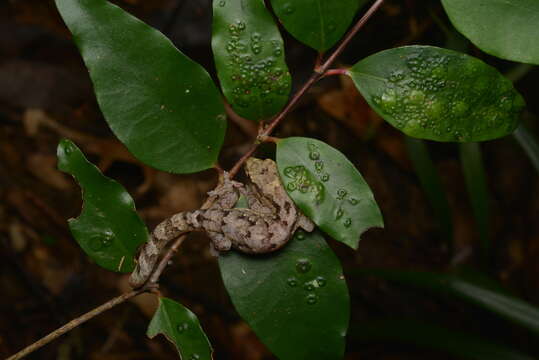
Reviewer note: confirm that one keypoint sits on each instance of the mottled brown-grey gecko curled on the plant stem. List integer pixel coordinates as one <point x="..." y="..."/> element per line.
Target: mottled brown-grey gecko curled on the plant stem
<point x="265" y="226"/>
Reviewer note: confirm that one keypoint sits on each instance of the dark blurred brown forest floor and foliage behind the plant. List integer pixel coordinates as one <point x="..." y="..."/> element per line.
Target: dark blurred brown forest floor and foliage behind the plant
<point x="491" y="240"/>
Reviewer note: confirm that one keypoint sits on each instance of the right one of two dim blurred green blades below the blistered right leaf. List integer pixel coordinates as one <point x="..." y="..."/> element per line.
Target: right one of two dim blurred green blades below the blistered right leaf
<point x="476" y="183"/>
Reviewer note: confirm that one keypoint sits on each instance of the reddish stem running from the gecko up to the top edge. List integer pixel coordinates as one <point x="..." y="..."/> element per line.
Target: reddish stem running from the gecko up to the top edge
<point x="320" y="72"/>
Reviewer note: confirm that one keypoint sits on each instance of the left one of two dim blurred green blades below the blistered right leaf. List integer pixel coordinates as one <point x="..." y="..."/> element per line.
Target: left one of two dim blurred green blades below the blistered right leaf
<point x="432" y="184"/>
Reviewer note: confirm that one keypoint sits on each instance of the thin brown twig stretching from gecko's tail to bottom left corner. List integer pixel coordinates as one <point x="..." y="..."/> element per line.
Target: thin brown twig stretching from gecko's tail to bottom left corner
<point x="76" y="322"/>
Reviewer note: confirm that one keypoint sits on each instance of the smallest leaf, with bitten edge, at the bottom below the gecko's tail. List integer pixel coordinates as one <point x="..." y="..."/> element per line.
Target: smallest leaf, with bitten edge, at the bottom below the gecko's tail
<point x="181" y="327"/>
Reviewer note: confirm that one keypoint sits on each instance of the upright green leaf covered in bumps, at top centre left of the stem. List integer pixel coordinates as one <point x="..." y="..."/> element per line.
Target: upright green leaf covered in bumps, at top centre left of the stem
<point x="249" y="55"/>
